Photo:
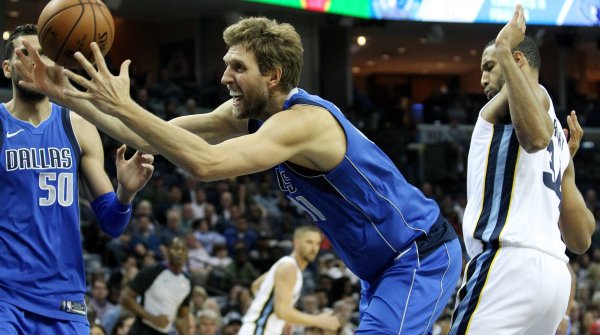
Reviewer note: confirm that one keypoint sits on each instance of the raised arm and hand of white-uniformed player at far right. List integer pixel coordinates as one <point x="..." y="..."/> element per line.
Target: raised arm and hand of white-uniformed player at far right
<point x="528" y="106"/>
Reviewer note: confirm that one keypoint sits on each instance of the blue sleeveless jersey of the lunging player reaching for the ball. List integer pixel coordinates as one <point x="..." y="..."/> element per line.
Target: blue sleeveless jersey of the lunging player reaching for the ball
<point x="364" y="205"/>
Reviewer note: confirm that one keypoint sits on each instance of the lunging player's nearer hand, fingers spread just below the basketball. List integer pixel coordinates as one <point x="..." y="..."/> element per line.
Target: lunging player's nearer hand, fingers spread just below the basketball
<point x="107" y="92"/>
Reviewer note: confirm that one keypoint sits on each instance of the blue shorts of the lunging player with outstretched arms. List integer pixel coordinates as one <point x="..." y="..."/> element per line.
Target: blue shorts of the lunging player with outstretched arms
<point x="412" y="293"/>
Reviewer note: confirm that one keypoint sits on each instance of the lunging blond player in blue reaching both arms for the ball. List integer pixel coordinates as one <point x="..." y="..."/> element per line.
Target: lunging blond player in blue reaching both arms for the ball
<point x="387" y="232"/>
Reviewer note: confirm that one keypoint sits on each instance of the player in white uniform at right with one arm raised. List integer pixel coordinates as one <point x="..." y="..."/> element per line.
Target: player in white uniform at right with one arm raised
<point x="521" y="198"/>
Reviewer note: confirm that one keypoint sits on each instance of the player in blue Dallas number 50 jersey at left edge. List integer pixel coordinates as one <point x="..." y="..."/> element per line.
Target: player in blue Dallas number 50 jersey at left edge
<point x="44" y="148"/>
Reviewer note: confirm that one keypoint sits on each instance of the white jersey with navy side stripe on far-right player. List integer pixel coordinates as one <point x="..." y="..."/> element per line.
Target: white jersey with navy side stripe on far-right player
<point x="514" y="197"/>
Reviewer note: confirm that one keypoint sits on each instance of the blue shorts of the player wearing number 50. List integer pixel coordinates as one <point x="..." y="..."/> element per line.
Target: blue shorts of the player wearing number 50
<point x="17" y="321"/>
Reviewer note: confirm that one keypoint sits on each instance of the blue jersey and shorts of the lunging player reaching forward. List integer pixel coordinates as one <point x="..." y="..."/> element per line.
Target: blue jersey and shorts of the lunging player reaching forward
<point x="384" y="229"/>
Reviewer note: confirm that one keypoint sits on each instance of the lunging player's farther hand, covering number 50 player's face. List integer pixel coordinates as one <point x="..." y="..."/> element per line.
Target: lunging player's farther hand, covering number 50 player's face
<point x="41" y="76"/>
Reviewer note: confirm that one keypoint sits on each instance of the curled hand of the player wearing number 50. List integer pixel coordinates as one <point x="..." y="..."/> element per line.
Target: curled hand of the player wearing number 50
<point x="133" y="173"/>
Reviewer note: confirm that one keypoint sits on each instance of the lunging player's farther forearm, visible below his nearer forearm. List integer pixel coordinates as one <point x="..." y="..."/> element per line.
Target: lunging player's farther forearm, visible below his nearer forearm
<point x="109" y="124"/>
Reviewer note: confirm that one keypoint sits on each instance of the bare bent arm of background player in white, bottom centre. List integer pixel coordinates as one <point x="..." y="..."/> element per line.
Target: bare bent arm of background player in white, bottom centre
<point x="285" y="279"/>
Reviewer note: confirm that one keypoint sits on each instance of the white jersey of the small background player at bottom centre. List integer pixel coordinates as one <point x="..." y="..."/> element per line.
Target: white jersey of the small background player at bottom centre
<point x="260" y="317"/>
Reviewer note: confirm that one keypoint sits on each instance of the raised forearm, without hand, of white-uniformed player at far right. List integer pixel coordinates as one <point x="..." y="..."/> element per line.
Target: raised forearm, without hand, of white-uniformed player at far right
<point x="532" y="123"/>
